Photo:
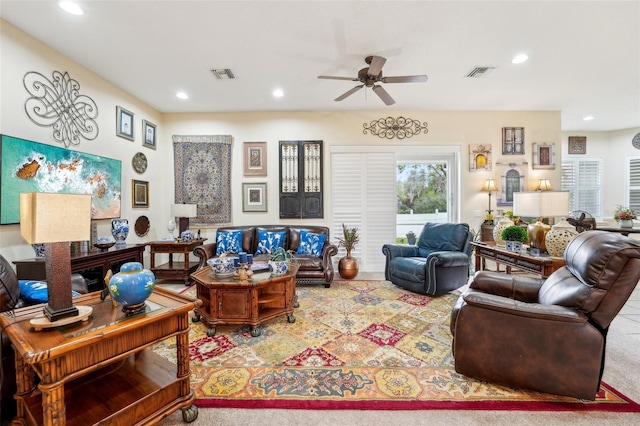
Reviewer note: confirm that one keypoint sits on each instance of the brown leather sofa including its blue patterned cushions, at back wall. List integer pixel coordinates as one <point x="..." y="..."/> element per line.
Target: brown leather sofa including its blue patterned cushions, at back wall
<point x="315" y="265"/>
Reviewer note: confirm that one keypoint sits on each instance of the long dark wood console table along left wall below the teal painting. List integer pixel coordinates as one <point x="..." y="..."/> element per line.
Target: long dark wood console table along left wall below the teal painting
<point x="92" y="265"/>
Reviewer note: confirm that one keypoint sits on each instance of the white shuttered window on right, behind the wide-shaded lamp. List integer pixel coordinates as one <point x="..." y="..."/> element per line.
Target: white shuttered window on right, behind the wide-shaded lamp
<point x="583" y="178"/>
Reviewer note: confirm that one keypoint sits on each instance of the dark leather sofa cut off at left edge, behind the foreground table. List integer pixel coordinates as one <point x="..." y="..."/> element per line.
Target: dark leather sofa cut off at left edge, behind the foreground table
<point x="10" y="298"/>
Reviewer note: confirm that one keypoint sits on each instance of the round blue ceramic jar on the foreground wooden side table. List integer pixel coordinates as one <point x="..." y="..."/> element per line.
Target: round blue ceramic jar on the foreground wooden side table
<point x="132" y="286"/>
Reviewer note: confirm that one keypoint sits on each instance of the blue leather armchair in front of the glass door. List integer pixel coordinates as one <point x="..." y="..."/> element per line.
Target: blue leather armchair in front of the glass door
<point x="438" y="263"/>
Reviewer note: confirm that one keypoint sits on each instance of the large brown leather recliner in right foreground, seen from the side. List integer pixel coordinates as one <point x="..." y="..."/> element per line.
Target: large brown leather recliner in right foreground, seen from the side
<point x="547" y="335"/>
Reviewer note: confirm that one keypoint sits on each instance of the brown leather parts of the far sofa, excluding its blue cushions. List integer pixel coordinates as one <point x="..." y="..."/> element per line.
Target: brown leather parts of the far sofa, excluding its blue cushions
<point x="312" y="269"/>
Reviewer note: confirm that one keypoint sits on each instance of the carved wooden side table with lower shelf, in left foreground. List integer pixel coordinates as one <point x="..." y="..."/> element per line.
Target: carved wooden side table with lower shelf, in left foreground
<point x="102" y="370"/>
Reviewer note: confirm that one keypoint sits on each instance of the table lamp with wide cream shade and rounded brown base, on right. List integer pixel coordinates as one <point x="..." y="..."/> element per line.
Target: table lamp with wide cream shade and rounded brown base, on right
<point x="540" y="204"/>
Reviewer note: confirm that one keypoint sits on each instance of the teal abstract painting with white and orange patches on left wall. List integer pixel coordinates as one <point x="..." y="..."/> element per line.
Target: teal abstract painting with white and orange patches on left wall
<point x="27" y="166"/>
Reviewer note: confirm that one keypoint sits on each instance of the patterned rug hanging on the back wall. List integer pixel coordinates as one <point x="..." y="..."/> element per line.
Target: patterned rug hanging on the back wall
<point x="203" y="176"/>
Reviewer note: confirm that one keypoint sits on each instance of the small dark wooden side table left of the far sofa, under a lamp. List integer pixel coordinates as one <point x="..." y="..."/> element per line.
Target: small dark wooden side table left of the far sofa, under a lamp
<point x="178" y="270"/>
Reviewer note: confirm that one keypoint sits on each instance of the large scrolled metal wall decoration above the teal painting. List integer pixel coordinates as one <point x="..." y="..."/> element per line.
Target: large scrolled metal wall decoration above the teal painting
<point x="57" y="103"/>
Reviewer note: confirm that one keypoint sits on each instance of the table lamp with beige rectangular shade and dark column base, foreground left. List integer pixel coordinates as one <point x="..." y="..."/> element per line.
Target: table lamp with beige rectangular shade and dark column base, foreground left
<point x="55" y="220"/>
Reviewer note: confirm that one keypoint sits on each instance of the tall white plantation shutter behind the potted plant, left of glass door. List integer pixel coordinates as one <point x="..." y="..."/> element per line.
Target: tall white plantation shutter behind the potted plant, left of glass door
<point x="363" y="186"/>
